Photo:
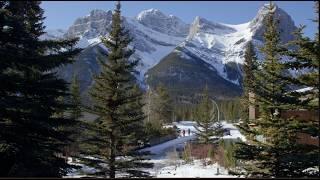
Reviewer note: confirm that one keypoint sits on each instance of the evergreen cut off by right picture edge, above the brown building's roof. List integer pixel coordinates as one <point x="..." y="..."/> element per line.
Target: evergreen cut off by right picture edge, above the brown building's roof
<point x="304" y="54"/>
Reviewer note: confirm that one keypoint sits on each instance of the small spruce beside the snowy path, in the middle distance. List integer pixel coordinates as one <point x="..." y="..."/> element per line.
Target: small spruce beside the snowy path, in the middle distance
<point x="207" y="123"/>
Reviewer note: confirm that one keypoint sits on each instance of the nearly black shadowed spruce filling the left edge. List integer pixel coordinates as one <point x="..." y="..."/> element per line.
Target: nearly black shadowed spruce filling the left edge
<point x="31" y="136"/>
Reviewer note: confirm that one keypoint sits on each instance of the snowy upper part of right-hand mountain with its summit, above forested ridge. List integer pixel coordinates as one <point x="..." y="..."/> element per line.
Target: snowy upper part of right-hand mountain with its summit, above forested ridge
<point x="220" y="44"/>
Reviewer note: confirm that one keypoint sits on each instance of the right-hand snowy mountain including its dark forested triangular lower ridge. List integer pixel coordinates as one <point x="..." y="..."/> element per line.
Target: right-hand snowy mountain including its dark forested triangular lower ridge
<point x="215" y="51"/>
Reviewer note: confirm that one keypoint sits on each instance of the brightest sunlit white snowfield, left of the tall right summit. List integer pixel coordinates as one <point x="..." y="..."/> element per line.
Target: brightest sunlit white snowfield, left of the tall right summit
<point x="220" y="46"/>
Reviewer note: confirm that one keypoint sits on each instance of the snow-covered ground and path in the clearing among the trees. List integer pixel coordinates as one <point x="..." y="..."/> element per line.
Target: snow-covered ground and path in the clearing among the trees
<point x="165" y="166"/>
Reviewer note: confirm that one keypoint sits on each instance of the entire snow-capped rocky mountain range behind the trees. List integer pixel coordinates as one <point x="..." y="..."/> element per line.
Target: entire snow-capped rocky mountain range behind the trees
<point x="166" y="45"/>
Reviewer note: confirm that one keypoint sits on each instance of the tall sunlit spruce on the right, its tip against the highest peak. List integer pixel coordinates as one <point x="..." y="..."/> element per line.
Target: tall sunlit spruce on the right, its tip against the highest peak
<point x="270" y="156"/>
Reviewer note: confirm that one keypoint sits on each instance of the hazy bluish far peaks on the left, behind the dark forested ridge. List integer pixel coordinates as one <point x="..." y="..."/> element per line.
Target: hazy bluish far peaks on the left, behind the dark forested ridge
<point x="150" y="42"/>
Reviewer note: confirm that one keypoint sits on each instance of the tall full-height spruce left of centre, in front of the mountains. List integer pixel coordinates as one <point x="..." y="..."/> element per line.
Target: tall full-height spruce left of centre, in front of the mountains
<point x="117" y="100"/>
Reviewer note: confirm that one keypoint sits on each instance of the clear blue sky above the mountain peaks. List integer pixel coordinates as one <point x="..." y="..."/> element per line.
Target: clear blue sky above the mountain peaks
<point x="62" y="14"/>
